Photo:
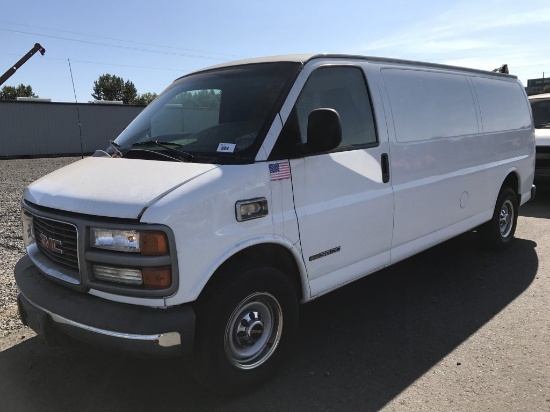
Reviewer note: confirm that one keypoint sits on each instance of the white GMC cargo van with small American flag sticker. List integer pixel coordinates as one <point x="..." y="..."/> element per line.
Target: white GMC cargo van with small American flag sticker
<point x="247" y="188"/>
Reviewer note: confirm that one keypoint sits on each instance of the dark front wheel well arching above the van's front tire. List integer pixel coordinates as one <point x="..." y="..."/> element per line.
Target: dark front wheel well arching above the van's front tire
<point x="274" y="255"/>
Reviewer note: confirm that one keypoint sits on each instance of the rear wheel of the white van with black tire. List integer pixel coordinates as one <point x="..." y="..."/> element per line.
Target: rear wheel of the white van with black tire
<point x="499" y="231"/>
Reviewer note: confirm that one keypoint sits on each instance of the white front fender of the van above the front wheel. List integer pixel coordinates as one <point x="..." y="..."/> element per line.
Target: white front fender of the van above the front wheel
<point x="201" y="214"/>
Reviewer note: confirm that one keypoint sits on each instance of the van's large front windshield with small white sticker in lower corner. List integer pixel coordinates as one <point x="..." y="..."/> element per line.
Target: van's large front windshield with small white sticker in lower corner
<point x="218" y="116"/>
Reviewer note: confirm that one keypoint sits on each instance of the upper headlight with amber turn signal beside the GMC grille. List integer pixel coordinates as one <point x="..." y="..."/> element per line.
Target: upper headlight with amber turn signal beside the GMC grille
<point x="134" y="241"/>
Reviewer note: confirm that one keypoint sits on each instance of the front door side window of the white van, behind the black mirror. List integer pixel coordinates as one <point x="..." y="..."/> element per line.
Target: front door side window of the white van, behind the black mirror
<point x="341" y="88"/>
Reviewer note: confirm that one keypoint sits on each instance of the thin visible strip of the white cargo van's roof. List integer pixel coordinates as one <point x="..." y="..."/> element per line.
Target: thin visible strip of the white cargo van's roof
<point x="304" y="58"/>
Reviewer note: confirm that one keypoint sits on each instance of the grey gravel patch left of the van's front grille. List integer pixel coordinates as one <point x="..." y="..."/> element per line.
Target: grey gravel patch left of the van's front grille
<point x="15" y="175"/>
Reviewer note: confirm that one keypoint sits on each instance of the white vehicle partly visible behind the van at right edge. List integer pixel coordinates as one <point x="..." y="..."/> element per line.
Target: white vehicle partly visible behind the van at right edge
<point x="540" y="105"/>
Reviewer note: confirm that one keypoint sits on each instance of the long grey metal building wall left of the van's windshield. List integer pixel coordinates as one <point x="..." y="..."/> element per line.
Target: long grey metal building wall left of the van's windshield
<point x="49" y="129"/>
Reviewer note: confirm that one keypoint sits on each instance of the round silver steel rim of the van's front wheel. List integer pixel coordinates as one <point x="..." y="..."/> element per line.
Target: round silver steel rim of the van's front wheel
<point x="253" y="331"/>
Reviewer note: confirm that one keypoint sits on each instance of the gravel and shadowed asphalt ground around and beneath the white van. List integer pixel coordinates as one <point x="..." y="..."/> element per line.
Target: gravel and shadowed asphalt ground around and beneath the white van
<point x="453" y="329"/>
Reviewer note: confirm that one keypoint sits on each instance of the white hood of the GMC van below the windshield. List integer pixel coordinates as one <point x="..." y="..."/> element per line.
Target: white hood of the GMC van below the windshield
<point x="110" y="187"/>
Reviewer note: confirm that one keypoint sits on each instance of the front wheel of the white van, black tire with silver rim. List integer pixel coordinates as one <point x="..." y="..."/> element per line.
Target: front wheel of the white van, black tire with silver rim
<point x="213" y="362"/>
